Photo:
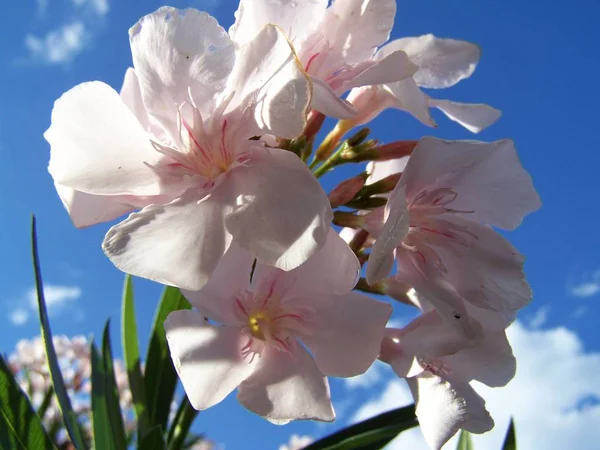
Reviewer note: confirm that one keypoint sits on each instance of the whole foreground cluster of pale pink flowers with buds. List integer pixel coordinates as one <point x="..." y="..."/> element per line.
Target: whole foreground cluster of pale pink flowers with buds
<point x="206" y="147"/>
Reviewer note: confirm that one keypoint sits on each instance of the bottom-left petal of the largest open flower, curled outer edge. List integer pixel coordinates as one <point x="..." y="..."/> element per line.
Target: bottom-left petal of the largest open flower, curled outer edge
<point x="178" y="244"/>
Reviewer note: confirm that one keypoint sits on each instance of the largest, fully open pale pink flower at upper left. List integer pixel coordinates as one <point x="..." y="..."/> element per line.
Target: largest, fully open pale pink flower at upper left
<point x="180" y="142"/>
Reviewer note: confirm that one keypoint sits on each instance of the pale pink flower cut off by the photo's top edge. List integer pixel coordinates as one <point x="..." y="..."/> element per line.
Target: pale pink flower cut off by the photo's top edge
<point x="335" y="44"/>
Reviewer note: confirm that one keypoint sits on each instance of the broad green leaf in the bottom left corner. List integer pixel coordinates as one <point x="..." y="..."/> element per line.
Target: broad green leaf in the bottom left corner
<point x="20" y="426"/>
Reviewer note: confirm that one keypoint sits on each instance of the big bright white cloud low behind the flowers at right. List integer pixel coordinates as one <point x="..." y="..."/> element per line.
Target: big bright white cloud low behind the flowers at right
<point x="554" y="398"/>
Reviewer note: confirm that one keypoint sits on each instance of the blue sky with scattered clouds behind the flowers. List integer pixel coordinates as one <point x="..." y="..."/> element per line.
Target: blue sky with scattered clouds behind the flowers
<point x="540" y="66"/>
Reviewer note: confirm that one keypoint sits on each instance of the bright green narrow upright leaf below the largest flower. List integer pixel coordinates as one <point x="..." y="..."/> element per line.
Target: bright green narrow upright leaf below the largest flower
<point x="131" y="354"/>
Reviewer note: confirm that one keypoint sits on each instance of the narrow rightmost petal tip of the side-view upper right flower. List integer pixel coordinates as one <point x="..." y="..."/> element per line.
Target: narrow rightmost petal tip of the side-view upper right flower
<point x="473" y="116"/>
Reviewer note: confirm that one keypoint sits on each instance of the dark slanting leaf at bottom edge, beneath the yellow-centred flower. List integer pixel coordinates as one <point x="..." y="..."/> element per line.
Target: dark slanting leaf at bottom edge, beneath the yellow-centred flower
<point x="372" y="433"/>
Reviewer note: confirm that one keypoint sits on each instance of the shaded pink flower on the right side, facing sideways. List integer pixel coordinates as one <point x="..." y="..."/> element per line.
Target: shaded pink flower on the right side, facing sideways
<point x="437" y="226"/>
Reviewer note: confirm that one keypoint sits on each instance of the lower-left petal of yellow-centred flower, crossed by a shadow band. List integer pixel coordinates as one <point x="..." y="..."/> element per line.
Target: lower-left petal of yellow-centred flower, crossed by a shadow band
<point x="208" y="359"/>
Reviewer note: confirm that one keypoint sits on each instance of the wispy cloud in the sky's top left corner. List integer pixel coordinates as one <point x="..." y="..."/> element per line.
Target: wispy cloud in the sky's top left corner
<point x="61" y="44"/>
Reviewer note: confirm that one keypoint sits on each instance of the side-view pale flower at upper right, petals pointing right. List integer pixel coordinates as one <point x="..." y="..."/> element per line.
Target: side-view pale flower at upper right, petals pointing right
<point x="442" y="63"/>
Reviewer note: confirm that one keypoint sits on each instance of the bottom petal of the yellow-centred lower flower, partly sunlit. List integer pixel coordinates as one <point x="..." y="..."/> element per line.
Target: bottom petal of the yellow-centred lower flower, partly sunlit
<point x="287" y="386"/>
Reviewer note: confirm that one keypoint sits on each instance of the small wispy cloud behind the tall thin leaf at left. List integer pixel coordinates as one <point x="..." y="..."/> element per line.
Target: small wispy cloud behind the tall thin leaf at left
<point x="59" y="299"/>
